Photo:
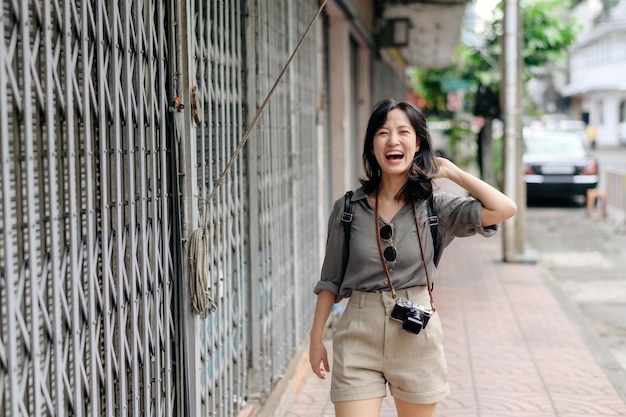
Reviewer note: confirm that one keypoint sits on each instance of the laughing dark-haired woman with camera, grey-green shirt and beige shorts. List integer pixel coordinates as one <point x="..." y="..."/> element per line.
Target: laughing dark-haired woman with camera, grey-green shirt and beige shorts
<point x="390" y="334"/>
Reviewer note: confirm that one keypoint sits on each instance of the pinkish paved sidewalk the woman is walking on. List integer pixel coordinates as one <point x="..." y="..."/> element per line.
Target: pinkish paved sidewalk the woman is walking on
<point x="512" y="351"/>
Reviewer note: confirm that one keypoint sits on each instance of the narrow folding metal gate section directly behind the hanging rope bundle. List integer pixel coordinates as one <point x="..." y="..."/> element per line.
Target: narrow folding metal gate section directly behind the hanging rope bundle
<point x="216" y="63"/>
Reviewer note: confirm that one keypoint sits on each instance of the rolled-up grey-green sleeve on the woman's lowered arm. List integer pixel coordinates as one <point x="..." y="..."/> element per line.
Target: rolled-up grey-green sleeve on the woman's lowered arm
<point x="331" y="276"/>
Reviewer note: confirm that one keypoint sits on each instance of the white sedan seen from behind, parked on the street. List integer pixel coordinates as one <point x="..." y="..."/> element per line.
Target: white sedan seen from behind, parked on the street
<point x="557" y="164"/>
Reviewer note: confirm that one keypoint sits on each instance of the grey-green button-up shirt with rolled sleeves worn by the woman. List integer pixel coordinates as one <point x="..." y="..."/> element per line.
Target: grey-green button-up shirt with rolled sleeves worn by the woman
<point x="458" y="217"/>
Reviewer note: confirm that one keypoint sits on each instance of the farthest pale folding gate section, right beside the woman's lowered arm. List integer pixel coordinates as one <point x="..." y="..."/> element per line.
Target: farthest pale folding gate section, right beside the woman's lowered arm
<point x="283" y="163"/>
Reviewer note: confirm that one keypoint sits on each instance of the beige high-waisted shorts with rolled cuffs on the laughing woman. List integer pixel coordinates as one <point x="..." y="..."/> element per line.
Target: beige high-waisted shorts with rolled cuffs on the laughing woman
<point x="371" y="350"/>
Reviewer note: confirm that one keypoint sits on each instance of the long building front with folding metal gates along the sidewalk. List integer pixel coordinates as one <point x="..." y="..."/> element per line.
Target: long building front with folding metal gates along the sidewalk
<point x="166" y="182"/>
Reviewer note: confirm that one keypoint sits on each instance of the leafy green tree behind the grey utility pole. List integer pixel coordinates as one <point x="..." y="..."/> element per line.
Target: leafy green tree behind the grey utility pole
<point x="547" y="34"/>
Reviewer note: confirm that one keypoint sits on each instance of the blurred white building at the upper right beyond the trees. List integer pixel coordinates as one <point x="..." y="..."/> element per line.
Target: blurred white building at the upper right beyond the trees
<point x="597" y="82"/>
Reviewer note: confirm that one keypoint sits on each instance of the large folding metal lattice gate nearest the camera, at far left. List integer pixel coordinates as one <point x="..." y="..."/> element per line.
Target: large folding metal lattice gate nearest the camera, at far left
<point x="87" y="272"/>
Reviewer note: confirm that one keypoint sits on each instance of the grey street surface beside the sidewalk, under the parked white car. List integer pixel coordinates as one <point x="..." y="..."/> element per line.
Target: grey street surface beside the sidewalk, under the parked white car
<point x="586" y="255"/>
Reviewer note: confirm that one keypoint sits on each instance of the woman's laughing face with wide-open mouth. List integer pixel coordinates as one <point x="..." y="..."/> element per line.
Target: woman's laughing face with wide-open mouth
<point x="395" y="144"/>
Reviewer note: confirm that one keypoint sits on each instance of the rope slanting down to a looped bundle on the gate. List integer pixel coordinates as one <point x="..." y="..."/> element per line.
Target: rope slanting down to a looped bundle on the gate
<point x="199" y="243"/>
